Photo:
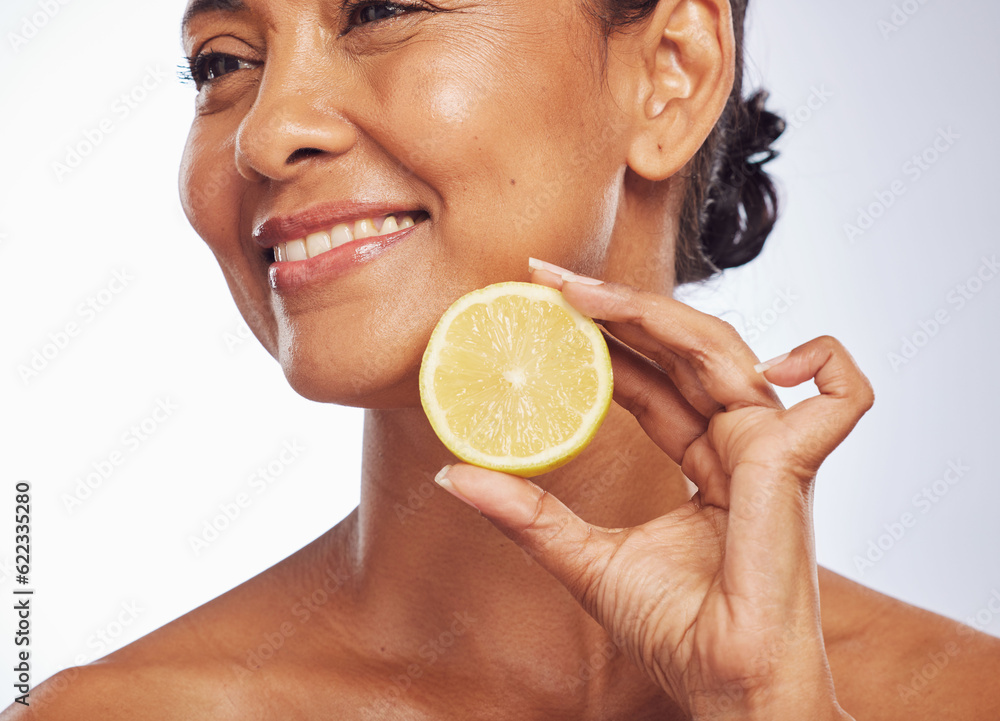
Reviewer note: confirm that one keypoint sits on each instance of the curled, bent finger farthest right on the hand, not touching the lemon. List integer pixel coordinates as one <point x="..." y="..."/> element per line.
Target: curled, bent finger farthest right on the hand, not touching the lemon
<point x="845" y="394"/>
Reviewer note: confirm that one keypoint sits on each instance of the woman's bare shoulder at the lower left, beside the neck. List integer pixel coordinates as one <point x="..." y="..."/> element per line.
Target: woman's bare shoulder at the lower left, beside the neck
<point x="248" y="654"/>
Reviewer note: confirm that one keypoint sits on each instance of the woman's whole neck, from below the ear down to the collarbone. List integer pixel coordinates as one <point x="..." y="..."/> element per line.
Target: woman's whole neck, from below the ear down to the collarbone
<point x="445" y="594"/>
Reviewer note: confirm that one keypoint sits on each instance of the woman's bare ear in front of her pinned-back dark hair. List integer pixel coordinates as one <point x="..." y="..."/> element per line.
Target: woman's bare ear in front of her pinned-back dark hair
<point x="680" y="85"/>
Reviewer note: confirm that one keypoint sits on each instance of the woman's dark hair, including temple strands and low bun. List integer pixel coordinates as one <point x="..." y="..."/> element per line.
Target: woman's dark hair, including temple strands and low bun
<point x="731" y="204"/>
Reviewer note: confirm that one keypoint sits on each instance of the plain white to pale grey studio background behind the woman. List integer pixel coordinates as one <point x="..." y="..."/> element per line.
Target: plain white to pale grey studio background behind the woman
<point x="867" y="85"/>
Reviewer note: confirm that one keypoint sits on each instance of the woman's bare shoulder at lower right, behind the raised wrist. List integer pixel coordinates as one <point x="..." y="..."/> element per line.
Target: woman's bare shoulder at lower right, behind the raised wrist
<point x="891" y="660"/>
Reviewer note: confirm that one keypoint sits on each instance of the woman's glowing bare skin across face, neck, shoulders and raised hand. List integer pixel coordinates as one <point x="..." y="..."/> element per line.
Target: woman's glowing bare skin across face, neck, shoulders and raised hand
<point x="498" y="121"/>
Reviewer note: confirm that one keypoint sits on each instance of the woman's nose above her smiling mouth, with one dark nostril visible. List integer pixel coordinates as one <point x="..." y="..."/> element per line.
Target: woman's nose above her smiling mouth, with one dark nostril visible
<point x="295" y="119"/>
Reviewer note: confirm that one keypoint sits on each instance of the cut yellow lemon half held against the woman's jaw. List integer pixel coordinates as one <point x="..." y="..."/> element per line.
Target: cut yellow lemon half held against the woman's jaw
<point x="515" y="379"/>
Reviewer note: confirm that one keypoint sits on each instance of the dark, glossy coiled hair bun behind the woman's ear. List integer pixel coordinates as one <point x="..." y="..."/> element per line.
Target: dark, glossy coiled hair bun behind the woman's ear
<point x="742" y="204"/>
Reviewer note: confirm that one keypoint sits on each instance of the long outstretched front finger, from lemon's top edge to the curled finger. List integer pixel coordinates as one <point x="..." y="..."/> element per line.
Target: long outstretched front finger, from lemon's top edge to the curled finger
<point x="724" y="364"/>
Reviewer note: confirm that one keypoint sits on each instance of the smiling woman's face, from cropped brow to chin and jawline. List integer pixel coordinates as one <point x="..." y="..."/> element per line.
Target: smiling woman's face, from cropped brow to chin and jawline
<point x="488" y="122"/>
